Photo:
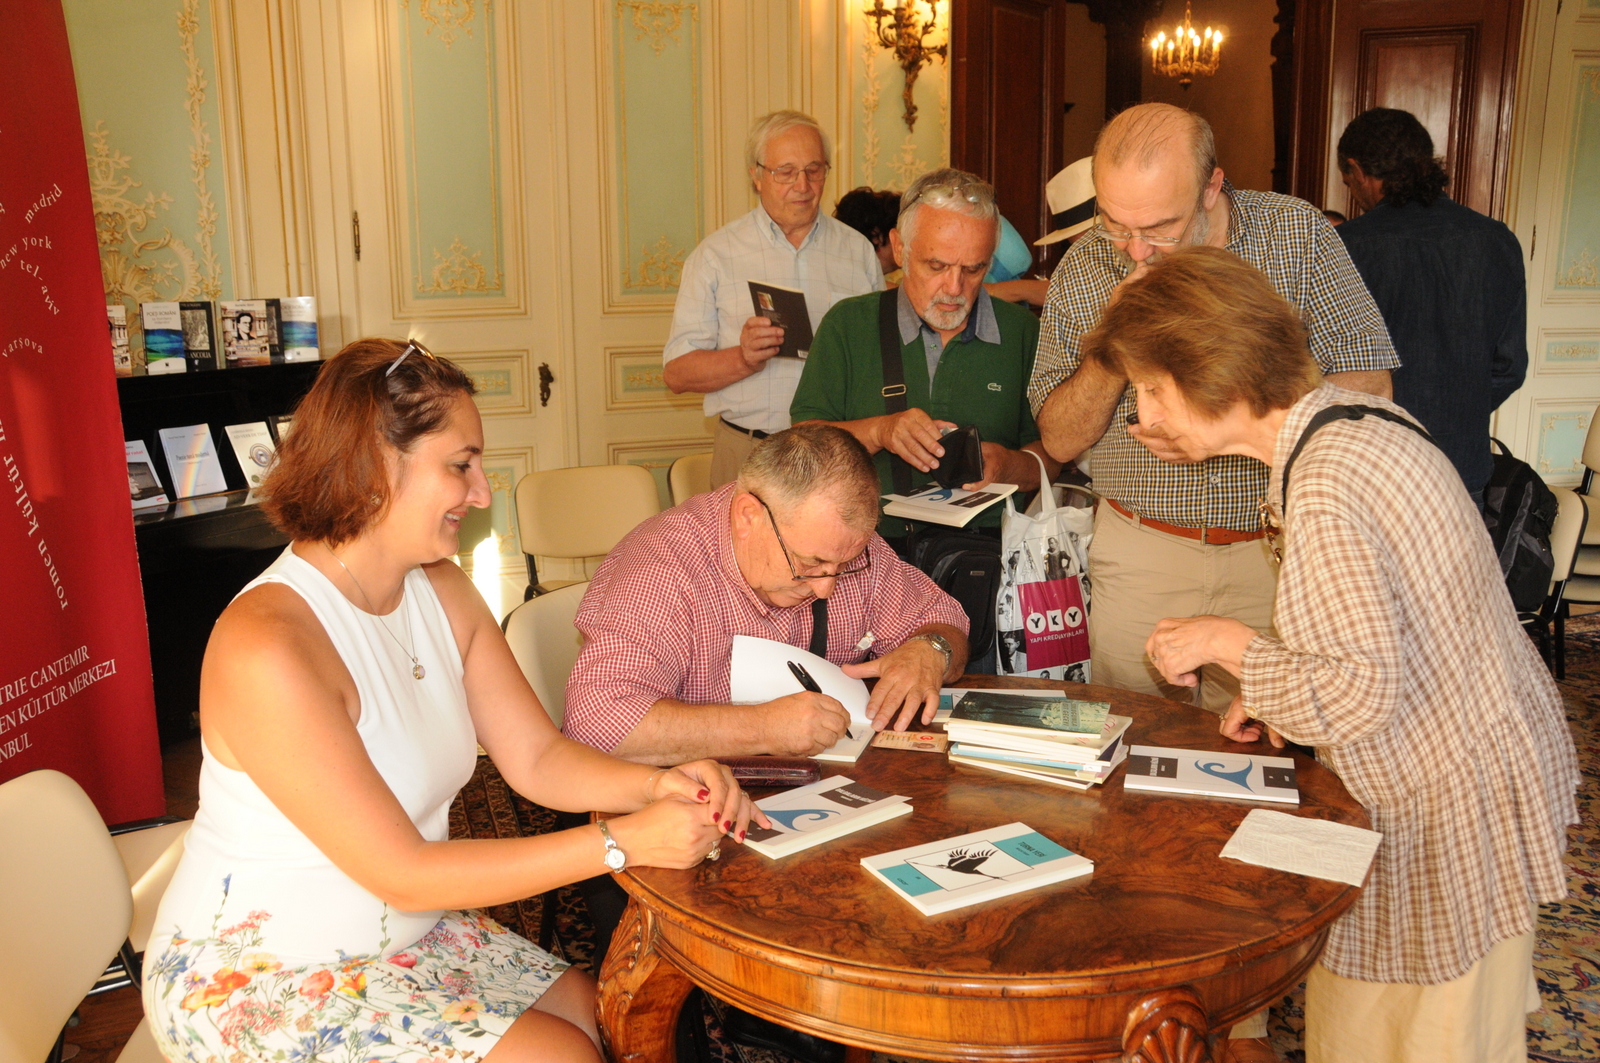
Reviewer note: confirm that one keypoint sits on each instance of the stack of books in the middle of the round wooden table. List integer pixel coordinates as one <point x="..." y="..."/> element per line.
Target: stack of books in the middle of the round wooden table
<point x="1057" y="740"/>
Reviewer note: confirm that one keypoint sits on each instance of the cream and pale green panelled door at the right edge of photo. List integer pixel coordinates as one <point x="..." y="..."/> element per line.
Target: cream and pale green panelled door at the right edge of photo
<point x="1554" y="209"/>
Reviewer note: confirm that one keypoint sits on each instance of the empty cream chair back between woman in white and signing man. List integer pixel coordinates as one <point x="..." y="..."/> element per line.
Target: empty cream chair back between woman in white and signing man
<point x="580" y="513"/>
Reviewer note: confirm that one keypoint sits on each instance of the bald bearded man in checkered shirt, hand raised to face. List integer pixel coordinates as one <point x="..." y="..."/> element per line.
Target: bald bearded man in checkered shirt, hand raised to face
<point x="1182" y="540"/>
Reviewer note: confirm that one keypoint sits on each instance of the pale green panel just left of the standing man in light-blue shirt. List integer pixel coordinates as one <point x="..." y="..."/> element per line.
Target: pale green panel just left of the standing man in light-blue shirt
<point x="658" y="142"/>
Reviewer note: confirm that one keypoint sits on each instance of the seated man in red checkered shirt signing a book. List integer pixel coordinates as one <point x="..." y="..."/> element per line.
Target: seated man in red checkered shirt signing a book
<point x="753" y="558"/>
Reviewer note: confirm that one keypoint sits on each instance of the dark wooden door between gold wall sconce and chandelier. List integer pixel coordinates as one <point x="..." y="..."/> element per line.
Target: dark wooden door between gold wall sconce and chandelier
<point x="1007" y="95"/>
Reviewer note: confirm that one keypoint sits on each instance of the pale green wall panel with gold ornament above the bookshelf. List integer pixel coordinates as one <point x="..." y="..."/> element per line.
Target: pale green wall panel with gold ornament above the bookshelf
<point x="148" y="92"/>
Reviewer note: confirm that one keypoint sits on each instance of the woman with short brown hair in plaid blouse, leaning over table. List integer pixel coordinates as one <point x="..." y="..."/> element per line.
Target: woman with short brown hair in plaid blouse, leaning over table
<point x="1398" y="656"/>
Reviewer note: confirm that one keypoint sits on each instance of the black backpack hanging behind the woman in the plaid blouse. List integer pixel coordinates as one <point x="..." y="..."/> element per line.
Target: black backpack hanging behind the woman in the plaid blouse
<point x="1521" y="511"/>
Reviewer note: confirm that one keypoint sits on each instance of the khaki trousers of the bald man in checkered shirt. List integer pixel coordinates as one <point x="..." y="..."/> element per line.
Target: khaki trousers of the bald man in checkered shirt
<point x="1140" y="577"/>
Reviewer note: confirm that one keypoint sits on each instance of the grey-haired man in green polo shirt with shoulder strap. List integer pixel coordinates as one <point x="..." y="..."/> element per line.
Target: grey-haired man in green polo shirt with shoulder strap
<point x="967" y="358"/>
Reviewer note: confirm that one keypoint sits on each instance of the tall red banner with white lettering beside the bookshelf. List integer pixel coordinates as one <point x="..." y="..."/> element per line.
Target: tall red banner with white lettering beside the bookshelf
<point x="74" y="657"/>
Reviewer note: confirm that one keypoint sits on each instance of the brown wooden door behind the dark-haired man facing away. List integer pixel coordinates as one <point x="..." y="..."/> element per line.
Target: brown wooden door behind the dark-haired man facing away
<point x="1452" y="63"/>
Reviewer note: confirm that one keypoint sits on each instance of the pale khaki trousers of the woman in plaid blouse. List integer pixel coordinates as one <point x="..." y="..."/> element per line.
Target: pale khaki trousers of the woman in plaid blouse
<point x="1481" y="1017"/>
